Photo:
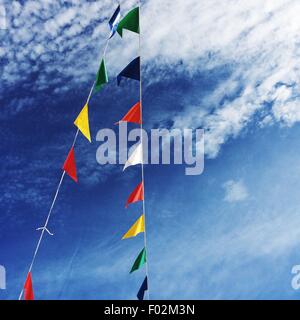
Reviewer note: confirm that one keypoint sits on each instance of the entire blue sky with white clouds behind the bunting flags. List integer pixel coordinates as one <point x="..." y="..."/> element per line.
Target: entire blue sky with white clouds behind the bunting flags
<point x="229" y="67"/>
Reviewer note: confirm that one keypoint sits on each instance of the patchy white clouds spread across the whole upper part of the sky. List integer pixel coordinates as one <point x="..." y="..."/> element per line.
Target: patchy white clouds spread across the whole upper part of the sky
<point x="258" y="42"/>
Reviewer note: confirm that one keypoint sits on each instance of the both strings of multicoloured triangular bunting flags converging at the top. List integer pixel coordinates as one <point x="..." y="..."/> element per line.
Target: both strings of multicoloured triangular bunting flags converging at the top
<point x="132" y="71"/>
